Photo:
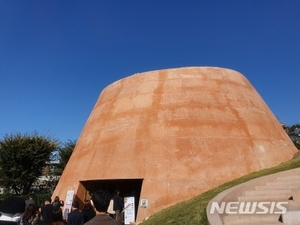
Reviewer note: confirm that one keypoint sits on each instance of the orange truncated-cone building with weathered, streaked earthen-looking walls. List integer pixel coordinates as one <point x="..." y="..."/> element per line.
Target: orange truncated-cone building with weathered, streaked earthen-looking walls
<point x="169" y="135"/>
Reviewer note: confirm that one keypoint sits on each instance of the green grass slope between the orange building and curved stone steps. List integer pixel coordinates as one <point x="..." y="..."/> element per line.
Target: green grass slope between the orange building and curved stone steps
<point x="193" y="211"/>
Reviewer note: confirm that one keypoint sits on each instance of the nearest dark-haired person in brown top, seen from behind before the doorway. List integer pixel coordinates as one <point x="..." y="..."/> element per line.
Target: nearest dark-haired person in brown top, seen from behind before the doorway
<point x="100" y="200"/>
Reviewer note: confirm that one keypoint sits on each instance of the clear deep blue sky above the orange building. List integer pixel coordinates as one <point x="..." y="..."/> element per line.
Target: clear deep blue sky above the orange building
<point x="57" y="56"/>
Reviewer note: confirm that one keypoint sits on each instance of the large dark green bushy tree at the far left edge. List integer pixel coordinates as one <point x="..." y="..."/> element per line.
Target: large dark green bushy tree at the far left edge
<point x="22" y="159"/>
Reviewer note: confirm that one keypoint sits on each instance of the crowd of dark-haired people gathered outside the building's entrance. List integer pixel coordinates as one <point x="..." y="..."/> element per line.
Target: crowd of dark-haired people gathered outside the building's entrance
<point x="96" y="211"/>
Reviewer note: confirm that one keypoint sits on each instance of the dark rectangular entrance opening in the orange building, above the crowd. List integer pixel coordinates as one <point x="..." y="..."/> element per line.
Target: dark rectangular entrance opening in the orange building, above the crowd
<point x="127" y="187"/>
